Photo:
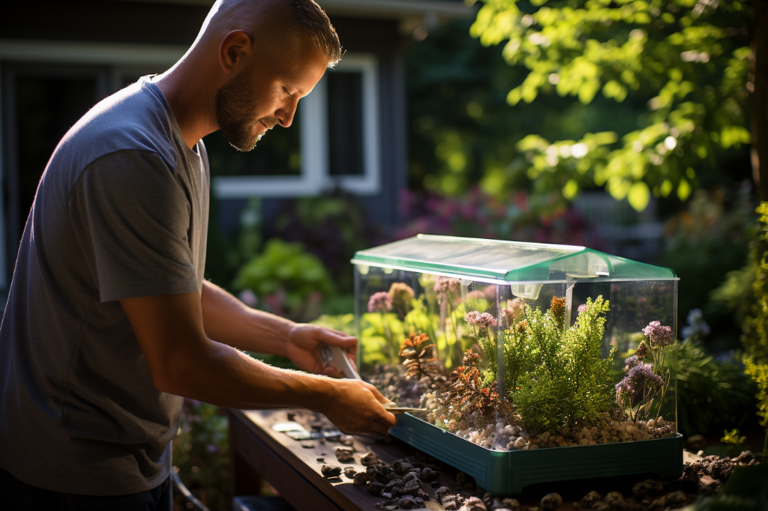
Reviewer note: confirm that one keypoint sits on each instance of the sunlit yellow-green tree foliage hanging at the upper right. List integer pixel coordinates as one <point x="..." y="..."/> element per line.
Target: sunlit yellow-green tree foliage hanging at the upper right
<point x="691" y="59"/>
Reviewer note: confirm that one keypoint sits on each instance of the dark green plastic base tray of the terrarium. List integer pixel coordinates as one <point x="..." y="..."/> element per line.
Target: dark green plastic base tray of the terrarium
<point x="508" y="472"/>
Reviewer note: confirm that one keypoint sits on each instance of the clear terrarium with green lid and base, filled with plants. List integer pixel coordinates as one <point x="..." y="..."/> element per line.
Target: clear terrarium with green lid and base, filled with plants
<point x="530" y="362"/>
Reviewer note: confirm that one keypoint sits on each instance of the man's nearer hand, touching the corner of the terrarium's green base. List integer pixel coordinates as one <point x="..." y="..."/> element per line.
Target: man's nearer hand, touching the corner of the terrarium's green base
<point x="355" y="407"/>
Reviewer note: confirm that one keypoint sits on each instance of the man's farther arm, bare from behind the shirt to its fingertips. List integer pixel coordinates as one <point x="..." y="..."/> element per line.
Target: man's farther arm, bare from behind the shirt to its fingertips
<point x="227" y="320"/>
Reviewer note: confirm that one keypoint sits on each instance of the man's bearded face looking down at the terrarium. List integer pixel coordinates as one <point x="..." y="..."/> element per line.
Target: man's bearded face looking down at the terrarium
<point x="266" y="93"/>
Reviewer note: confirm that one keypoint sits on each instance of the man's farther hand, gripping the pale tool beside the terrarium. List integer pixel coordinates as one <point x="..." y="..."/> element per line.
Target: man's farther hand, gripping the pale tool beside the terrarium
<point x="303" y="344"/>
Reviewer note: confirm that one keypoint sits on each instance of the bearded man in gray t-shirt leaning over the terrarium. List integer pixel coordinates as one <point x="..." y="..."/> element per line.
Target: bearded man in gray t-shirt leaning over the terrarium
<point x="109" y="320"/>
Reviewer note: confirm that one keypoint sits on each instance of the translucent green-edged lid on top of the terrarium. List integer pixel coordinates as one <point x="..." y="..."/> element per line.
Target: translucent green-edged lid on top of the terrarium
<point x="508" y="261"/>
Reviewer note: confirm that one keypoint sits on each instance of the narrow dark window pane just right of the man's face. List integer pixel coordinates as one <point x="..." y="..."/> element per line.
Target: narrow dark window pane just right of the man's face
<point x="345" y="123"/>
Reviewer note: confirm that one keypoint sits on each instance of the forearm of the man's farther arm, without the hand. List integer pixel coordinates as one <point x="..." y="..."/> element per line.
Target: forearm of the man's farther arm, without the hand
<point x="227" y="320"/>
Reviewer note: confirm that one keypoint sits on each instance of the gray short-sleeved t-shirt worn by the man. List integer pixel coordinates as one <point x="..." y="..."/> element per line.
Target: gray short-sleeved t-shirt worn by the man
<point x="121" y="211"/>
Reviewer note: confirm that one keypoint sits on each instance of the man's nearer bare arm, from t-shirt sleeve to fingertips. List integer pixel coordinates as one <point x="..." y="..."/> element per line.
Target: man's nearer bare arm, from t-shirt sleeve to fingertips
<point x="184" y="361"/>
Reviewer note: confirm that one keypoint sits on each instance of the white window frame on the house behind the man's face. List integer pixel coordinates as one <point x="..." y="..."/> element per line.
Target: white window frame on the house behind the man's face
<point x="315" y="155"/>
